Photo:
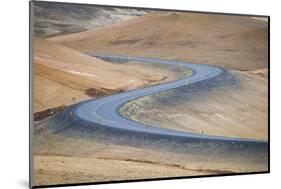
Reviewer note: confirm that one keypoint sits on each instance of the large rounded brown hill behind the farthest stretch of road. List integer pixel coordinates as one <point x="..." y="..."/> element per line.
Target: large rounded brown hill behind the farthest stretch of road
<point x="233" y="42"/>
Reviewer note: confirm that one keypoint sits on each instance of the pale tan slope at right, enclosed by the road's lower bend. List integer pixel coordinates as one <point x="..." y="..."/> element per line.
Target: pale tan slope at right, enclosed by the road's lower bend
<point x="238" y="112"/>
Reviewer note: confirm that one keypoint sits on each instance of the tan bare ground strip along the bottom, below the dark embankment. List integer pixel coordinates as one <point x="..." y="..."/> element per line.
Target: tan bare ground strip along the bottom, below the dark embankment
<point x="65" y="160"/>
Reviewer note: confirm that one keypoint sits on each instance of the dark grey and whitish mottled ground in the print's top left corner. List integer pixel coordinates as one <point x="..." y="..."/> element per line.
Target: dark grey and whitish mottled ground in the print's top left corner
<point x="52" y="19"/>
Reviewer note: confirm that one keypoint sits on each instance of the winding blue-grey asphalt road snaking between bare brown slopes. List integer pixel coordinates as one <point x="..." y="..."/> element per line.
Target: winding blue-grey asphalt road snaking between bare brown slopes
<point x="103" y="112"/>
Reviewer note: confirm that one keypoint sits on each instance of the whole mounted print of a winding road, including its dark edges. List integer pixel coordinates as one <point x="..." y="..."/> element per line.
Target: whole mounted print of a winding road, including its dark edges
<point x="128" y="94"/>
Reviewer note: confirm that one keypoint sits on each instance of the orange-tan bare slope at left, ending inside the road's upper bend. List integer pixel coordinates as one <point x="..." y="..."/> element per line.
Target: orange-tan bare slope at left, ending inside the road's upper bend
<point x="64" y="76"/>
